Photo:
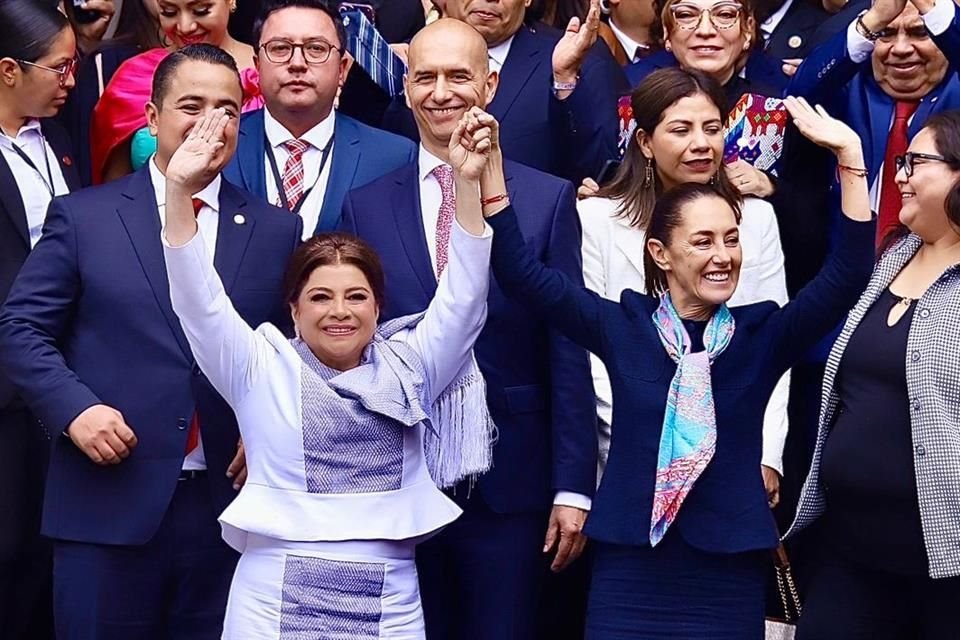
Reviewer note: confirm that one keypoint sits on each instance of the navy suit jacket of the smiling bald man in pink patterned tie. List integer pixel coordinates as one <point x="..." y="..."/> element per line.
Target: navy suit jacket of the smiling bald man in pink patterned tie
<point x="539" y="387"/>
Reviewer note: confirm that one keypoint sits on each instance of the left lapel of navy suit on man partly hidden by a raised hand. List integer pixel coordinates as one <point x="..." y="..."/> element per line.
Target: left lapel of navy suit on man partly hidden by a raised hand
<point x="138" y="213"/>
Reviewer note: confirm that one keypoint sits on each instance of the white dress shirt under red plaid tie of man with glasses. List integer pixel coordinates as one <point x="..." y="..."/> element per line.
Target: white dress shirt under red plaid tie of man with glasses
<point x="318" y="137"/>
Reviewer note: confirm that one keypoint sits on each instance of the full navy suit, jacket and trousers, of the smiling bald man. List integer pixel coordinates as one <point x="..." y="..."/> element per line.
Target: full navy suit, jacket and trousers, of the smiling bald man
<point x="481" y="575"/>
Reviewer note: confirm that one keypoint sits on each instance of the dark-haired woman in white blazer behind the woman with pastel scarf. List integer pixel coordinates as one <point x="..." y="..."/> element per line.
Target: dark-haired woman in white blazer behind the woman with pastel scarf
<point x="675" y="142"/>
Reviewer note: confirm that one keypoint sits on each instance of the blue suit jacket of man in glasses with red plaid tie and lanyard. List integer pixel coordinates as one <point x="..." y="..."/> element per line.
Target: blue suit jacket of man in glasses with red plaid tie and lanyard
<point x="360" y="154"/>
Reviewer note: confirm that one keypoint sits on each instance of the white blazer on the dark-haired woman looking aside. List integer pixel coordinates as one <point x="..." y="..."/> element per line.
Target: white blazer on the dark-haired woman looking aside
<point x="613" y="261"/>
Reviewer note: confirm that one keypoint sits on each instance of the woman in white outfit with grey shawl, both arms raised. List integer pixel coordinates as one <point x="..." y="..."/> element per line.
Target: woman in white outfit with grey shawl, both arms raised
<point x="334" y="422"/>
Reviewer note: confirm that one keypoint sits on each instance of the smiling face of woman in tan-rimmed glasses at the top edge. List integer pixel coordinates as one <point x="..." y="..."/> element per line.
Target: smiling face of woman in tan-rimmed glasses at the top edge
<point x="706" y="48"/>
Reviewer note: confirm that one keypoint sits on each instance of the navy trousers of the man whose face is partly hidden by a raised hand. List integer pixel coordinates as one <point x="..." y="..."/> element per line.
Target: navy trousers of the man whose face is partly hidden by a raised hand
<point x="172" y="588"/>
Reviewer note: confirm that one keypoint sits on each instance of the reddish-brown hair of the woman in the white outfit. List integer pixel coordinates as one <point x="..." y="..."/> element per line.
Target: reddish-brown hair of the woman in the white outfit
<point x="328" y="249"/>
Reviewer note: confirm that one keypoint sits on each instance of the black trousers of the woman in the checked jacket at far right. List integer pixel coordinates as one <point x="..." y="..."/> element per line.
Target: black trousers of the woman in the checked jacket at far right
<point x="849" y="601"/>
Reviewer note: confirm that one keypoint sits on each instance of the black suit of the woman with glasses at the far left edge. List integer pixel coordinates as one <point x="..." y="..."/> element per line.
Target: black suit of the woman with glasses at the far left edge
<point x="24" y="555"/>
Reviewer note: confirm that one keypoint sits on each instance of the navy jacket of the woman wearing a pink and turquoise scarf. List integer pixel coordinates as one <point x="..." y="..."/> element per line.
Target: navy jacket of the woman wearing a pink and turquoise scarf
<point x="727" y="509"/>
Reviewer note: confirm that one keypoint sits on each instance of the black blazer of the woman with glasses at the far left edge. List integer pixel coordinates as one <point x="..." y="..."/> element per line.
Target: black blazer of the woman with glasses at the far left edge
<point x="14" y="231"/>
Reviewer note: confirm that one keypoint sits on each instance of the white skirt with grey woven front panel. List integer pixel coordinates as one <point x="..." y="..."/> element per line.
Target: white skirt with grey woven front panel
<point x="355" y="590"/>
